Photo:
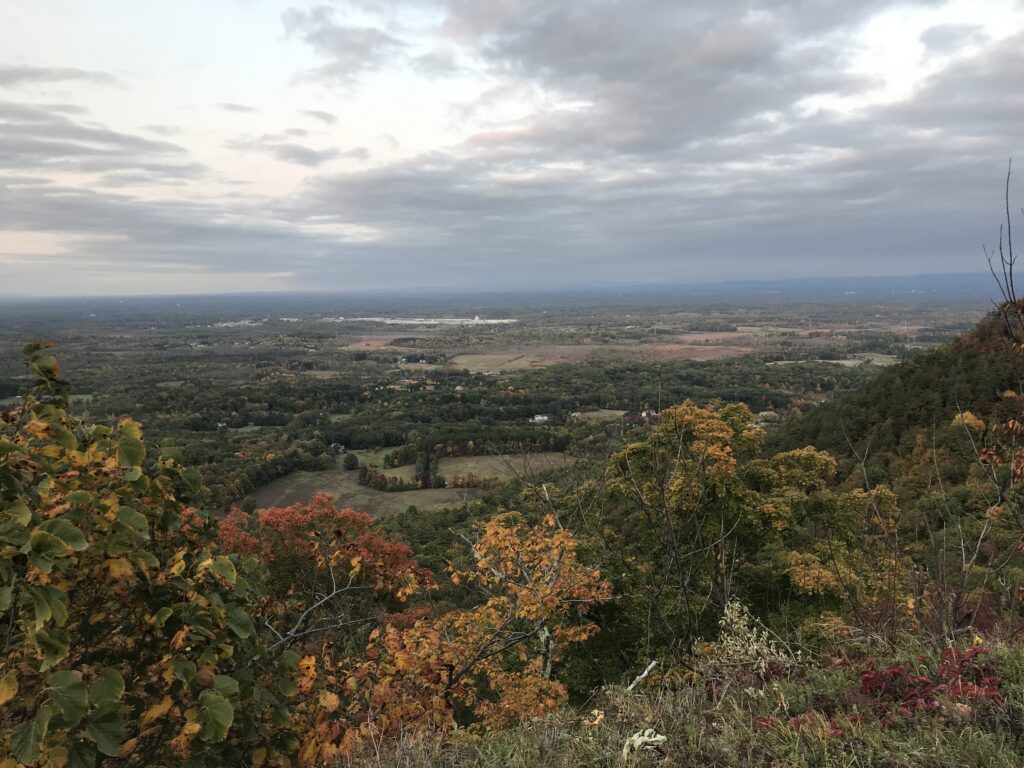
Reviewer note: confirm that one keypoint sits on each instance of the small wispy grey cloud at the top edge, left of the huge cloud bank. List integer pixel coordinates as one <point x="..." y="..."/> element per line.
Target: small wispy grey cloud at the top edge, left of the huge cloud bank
<point x="350" y="51"/>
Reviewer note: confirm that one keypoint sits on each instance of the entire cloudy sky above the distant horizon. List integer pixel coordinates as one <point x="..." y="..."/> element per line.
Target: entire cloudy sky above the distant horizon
<point x="244" y="146"/>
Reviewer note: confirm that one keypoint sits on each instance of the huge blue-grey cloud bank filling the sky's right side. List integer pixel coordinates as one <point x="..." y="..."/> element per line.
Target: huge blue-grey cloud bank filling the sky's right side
<point x="691" y="154"/>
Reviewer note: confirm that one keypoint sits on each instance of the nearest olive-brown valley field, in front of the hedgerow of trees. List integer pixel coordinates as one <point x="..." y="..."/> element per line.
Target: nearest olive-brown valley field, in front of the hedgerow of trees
<point x="301" y="487"/>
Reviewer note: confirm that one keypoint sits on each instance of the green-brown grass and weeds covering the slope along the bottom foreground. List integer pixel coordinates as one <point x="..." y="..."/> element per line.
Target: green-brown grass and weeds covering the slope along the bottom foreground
<point x="733" y="730"/>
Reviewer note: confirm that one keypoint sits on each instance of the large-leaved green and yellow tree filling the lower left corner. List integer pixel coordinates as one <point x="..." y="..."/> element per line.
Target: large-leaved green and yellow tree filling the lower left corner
<point x="120" y="637"/>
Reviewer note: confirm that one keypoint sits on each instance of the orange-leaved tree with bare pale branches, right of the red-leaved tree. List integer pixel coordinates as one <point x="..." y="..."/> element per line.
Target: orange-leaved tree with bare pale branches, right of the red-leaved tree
<point x="491" y="664"/>
